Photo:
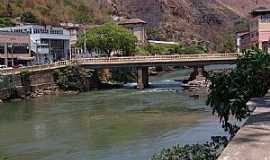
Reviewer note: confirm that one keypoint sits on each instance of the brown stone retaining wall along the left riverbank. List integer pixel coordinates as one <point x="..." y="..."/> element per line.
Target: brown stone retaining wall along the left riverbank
<point x="37" y="84"/>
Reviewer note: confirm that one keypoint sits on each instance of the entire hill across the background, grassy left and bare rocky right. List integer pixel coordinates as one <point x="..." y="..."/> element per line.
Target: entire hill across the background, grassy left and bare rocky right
<point x="185" y="20"/>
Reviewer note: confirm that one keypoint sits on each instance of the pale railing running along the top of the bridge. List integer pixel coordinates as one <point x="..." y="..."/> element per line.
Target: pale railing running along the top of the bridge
<point x="104" y="60"/>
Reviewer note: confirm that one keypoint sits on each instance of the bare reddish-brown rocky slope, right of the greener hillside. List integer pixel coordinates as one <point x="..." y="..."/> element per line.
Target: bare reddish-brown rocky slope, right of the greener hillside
<point x="188" y="20"/>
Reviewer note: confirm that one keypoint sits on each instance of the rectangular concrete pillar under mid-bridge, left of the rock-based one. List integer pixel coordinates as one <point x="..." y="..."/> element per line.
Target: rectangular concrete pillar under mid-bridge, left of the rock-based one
<point x="142" y="77"/>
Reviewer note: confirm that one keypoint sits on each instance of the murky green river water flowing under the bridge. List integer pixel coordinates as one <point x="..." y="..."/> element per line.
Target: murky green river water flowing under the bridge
<point x="117" y="124"/>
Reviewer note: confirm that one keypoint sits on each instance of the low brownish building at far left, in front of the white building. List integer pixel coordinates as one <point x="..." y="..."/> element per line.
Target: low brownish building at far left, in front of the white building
<point x="15" y="48"/>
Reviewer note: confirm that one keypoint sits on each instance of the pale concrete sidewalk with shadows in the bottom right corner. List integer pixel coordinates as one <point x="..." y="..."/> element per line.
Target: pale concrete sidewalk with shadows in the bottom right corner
<point x="252" y="142"/>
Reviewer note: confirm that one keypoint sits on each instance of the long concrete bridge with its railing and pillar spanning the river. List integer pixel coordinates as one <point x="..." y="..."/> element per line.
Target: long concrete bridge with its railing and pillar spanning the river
<point x="140" y="62"/>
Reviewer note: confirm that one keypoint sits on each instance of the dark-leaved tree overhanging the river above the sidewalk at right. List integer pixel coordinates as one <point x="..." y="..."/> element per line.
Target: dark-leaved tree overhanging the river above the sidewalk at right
<point x="229" y="92"/>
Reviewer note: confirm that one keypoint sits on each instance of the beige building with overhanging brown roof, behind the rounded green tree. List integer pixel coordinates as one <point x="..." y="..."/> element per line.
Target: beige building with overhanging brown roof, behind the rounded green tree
<point x="137" y="27"/>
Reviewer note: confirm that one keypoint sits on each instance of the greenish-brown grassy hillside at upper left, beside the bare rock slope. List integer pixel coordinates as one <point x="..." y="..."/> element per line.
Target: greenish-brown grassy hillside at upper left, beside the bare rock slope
<point x="55" y="11"/>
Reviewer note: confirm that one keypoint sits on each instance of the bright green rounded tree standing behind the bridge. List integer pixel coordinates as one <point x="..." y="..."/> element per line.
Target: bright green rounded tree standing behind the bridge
<point x="110" y="38"/>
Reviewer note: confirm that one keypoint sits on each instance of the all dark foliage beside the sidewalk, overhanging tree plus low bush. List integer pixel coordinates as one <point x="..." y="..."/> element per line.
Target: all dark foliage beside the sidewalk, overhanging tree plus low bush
<point x="229" y="93"/>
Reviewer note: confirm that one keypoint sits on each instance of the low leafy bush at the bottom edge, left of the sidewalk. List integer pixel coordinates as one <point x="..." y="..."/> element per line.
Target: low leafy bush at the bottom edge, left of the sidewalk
<point x="207" y="151"/>
